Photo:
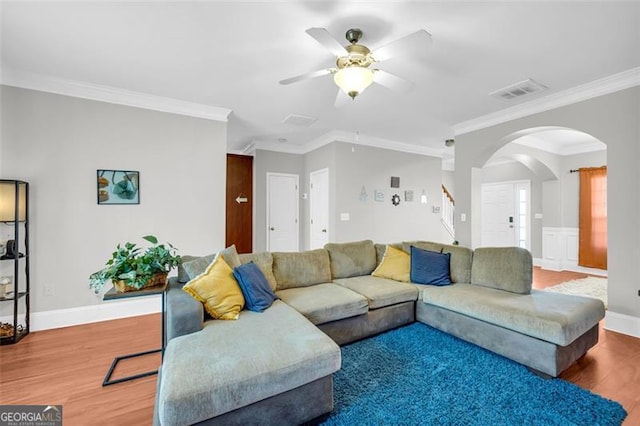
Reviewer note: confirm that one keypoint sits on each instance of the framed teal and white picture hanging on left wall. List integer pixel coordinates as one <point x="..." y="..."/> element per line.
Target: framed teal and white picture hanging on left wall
<point x="118" y="187"/>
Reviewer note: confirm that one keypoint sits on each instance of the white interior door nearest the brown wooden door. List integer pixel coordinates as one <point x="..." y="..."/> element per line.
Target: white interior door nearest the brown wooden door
<point x="282" y="212"/>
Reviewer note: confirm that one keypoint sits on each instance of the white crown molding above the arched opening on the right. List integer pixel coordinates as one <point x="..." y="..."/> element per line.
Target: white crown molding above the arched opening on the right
<point x="603" y="86"/>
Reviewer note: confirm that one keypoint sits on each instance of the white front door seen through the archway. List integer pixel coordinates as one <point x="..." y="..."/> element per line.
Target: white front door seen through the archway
<point x="505" y="214"/>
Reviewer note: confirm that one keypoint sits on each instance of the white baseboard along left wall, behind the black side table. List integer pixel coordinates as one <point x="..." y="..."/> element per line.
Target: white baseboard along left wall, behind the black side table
<point x="58" y="318"/>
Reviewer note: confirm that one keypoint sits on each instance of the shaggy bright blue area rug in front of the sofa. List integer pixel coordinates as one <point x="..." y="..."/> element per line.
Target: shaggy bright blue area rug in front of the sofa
<point x="417" y="375"/>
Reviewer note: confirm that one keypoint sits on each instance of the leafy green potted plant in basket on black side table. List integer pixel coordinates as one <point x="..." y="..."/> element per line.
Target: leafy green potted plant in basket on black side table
<point x="133" y="268"/>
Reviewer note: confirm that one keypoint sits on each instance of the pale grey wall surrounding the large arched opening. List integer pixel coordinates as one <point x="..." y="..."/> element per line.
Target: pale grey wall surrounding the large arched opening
<point x="613" y="119"/>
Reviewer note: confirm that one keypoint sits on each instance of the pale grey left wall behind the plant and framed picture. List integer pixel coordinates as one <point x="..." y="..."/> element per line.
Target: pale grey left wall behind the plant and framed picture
<point x="57" y="143"/>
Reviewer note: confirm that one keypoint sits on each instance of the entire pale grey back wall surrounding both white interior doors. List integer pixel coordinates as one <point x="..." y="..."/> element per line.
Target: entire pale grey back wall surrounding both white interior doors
<point x="350" y="167"/>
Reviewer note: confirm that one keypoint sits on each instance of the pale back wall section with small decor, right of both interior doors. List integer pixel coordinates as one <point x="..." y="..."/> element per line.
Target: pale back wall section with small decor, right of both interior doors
<point x="358" y="166"/>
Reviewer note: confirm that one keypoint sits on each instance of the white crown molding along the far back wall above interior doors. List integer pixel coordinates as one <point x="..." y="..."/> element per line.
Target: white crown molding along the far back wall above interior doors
<point x="346" y="137"/>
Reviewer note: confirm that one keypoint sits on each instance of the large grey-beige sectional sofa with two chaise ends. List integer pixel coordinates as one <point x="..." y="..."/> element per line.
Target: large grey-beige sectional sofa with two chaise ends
<point x="276" y="367"/>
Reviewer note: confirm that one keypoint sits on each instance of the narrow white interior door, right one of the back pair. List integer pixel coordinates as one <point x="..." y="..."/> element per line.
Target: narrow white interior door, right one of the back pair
<point x="319" y="208"/>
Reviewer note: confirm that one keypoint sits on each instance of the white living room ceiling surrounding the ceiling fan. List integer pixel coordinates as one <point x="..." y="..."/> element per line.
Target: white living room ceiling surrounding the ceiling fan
<point x="232" y="55"/>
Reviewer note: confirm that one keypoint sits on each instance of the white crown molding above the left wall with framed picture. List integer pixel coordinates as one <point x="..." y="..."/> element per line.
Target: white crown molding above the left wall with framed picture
<point x="113" y="95"/>
